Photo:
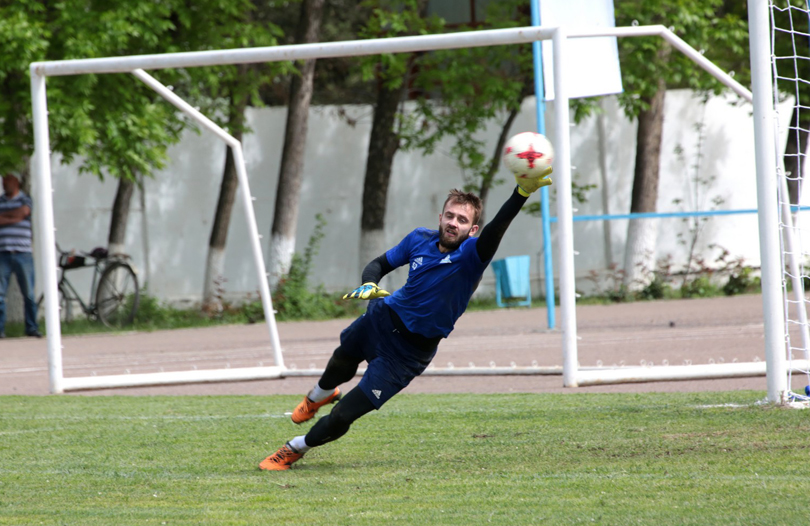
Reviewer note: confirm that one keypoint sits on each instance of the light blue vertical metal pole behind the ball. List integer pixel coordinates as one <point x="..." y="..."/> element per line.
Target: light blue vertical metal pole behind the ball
<point x="540" y="108"/>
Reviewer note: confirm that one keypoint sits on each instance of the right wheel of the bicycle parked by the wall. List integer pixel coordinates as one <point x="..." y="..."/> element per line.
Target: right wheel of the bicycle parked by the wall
<point x="117" y="296"/>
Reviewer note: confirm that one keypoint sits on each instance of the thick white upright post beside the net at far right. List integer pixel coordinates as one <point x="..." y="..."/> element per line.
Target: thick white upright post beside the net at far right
<point x="773" y="313"/>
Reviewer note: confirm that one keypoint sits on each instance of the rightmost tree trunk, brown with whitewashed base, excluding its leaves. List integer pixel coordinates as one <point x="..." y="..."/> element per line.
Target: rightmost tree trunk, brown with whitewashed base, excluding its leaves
<point x="639" y="260"/>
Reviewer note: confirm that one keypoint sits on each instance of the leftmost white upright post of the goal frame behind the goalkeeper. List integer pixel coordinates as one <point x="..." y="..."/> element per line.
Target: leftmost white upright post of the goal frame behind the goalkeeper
<point x="45" y="236"/>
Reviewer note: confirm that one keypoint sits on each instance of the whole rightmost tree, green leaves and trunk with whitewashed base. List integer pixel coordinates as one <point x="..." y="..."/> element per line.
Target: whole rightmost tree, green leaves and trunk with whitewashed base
<point x="649" y="68"/>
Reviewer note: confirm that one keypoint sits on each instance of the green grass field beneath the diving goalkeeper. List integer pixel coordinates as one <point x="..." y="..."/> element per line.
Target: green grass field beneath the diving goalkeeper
<point x="686" y="458"/>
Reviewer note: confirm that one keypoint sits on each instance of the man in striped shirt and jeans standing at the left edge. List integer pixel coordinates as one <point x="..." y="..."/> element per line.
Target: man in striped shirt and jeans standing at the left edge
<point x="15" y="251"/>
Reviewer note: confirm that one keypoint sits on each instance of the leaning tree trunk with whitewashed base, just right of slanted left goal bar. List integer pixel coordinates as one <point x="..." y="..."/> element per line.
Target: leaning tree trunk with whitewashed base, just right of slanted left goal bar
<point x="288" y="193"/>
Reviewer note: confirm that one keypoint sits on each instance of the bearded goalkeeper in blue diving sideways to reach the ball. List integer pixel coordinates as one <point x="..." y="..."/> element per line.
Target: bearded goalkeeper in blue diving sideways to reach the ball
<point x="399" y="333"/>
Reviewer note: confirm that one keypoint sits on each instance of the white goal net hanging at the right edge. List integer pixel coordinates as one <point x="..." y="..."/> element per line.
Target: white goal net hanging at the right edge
<point x="790" y="43"/>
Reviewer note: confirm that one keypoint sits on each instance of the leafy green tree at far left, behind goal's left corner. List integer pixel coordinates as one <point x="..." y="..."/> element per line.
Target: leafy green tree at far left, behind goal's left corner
<point x="117" y="127"/>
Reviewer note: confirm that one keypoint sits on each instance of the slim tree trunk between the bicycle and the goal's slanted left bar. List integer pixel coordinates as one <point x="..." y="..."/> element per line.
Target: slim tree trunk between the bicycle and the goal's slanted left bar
<point x="215" y="262"/>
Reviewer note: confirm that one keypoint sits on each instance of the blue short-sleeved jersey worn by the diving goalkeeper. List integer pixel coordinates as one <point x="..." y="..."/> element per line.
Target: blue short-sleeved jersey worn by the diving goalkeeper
<point x="439" y="285"/>
